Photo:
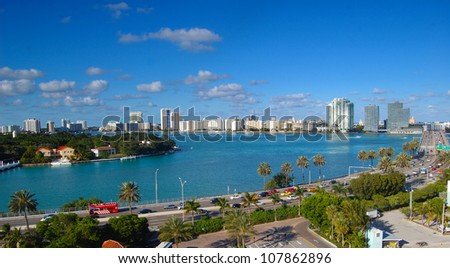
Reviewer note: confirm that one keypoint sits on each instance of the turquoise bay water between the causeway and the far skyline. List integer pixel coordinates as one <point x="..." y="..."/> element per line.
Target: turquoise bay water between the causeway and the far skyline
<point x="210" y="168"/>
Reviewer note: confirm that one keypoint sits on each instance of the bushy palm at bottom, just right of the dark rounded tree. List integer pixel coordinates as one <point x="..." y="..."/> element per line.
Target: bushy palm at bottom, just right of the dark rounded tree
<point x="175" y="230"/>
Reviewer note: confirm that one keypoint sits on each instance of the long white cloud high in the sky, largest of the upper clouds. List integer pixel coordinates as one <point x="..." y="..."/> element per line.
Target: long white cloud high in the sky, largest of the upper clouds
<point x="194" y="39"/>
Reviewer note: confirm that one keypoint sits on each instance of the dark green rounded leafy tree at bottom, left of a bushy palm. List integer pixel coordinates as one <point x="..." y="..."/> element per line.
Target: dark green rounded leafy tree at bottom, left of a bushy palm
<point x="129" y="230"/>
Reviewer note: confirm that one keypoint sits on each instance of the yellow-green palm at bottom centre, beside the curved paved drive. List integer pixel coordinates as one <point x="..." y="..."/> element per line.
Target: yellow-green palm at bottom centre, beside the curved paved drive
<point x="239" y="226"/>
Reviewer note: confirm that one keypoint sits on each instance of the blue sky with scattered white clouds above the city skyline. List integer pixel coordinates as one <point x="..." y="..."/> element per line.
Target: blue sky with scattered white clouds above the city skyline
<point x="87" y="59"/>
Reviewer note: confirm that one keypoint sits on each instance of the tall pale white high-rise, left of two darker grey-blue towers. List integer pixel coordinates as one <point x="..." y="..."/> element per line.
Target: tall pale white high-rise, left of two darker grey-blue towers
<point x="340" y="114"/>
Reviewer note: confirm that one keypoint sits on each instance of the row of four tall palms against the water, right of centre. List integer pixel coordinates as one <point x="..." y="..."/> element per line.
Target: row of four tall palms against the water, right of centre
<point x="264" y="169"/>
